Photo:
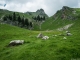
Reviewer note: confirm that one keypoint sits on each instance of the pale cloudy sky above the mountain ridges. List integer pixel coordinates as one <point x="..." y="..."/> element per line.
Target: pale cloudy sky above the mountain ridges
<point x="50" y="6"/>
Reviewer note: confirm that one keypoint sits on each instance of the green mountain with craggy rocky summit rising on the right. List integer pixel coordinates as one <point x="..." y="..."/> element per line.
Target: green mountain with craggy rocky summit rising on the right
<point x="61" y="18"/>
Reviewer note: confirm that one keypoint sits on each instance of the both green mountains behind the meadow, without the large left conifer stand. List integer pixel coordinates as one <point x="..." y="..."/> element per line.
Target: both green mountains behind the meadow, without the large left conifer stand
<point x="61" y="18"/>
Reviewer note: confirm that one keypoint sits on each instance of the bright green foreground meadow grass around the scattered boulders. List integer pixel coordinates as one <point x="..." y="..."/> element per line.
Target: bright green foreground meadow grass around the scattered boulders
<point x="55" y="48"/>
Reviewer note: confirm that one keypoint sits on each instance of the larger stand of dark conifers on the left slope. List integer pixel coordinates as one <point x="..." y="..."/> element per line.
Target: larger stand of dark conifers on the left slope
<point x="18" y="20"/>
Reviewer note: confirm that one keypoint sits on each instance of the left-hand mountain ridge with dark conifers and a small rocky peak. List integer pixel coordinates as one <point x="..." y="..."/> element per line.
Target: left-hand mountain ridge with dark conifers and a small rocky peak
<point x="34" y="18"/>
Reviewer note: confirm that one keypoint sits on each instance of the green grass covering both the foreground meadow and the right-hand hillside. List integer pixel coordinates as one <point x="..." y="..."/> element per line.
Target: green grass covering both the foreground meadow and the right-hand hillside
<point x="54" y="48"/>
